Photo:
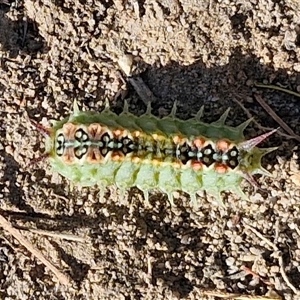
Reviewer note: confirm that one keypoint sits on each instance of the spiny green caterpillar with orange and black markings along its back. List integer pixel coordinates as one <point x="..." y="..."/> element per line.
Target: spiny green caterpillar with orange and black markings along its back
<point x="167" y="154"/>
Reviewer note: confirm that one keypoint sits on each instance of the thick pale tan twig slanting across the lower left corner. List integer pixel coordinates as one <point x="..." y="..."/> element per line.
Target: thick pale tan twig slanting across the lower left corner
<point x="63" y="279"/>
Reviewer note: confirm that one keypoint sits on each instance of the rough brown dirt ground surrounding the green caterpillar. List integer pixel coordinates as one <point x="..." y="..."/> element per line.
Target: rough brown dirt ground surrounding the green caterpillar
<point x="197" y="52"/>
